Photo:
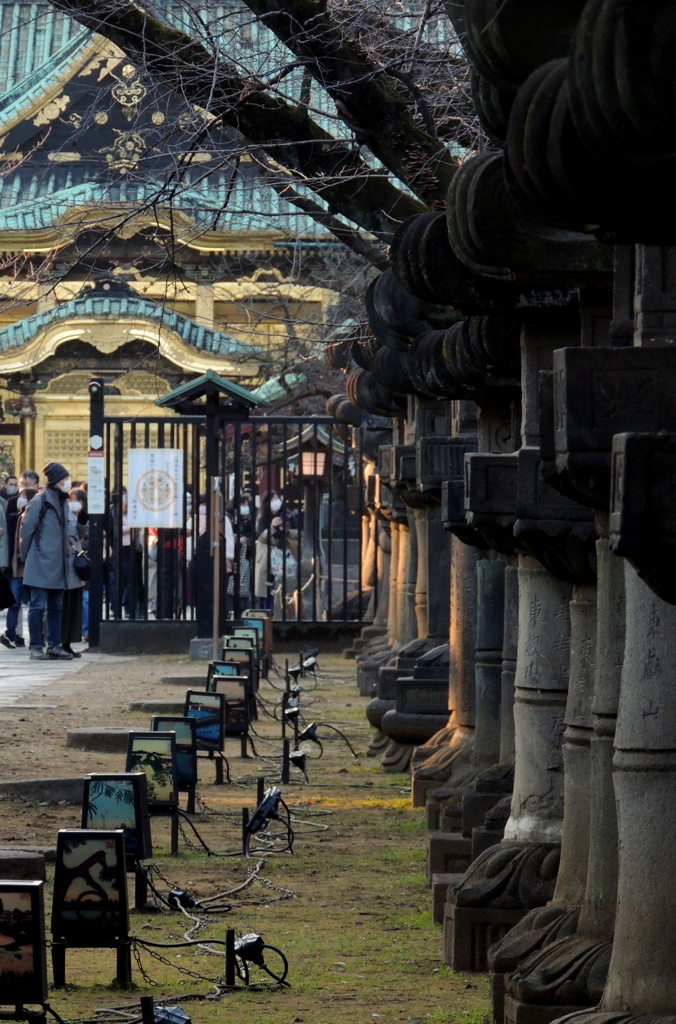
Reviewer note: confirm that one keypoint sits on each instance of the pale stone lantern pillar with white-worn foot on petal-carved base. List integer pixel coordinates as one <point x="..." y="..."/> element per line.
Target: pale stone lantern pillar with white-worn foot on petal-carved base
<point x="520" y="874"/>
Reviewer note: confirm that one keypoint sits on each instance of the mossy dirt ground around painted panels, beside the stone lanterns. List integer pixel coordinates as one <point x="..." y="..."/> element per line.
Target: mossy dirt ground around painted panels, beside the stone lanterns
<point x="349" y="908"/>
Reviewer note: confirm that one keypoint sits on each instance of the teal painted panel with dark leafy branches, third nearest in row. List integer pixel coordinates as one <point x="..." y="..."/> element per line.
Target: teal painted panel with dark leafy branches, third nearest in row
<point x="113" y="803"/>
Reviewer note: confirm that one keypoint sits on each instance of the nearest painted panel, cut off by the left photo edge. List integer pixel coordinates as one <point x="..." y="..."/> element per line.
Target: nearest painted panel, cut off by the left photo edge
<point x="23" y="964"/>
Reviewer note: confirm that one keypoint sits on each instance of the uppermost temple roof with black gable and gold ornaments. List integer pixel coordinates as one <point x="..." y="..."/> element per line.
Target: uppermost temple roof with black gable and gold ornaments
<point x="86" y="131"/>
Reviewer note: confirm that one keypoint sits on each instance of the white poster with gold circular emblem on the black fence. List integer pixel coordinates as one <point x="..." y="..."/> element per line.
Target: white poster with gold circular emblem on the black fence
<point x="156" y="488"/>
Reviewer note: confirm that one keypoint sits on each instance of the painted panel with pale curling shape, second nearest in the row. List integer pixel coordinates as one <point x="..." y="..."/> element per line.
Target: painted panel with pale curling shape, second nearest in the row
<point x="91" y="887"/>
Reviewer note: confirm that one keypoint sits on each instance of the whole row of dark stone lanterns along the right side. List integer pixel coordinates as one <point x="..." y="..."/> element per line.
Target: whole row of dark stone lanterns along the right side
<point x="525" y="672"/>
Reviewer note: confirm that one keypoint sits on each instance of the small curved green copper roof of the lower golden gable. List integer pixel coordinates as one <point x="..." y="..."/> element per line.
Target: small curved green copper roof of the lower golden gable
<point x="122" y="303"/>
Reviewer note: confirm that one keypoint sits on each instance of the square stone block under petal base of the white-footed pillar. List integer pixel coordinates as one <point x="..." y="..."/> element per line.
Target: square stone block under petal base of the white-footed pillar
<point x="470" y="932"/>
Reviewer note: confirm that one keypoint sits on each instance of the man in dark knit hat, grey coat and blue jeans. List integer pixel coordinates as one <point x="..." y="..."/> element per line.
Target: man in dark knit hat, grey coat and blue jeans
<point x="45" y="548"/>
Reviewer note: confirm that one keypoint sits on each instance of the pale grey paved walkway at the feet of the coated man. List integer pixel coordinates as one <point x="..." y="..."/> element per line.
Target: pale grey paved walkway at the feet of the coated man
<point x="20" y="676"/>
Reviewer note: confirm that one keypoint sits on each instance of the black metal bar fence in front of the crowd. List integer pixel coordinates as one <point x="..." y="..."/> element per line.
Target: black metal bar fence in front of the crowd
<point x="289" y="514"/>
